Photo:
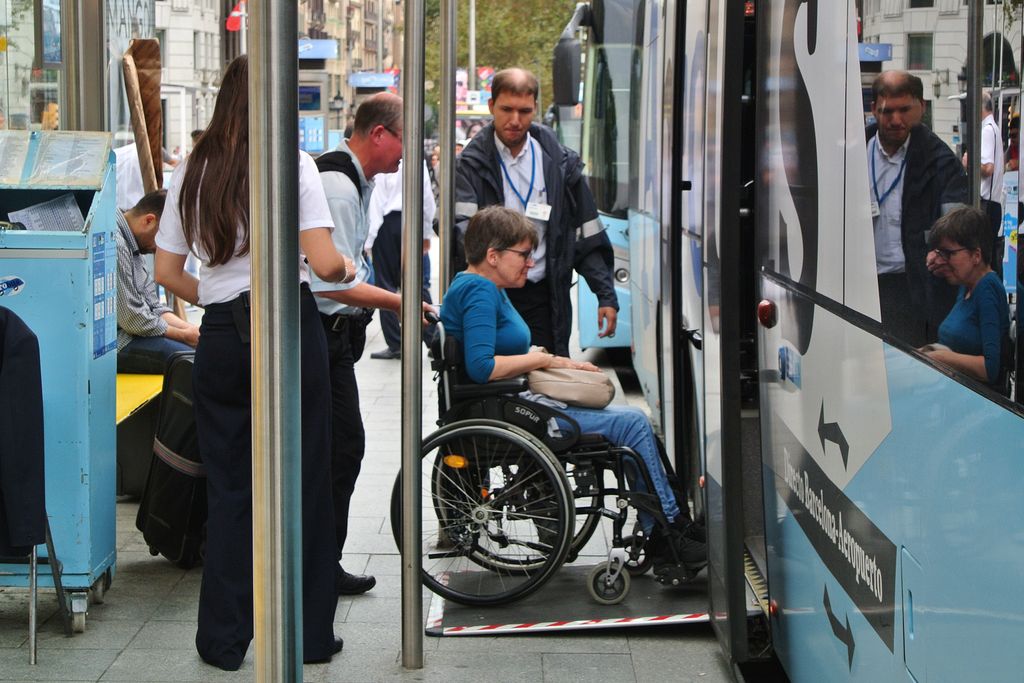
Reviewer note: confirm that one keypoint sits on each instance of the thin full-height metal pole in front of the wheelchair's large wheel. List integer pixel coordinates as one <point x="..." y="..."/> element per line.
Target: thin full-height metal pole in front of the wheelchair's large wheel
<point x="412" y="332"/>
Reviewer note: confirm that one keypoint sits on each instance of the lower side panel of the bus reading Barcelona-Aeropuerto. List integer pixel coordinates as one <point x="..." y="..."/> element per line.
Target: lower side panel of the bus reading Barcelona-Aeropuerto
<point x="909" y="561"/>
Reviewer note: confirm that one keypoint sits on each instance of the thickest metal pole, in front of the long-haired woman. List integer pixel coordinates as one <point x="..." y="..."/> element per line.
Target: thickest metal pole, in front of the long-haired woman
<point x="274" y="174"/>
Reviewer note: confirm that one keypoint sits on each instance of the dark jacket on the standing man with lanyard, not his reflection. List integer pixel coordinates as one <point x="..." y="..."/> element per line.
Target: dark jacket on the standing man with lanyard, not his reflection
<point x="576" y="237"/>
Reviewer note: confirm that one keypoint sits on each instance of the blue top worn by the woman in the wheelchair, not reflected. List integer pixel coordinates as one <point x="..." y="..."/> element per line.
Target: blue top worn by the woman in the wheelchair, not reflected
<point x="482" y="318"/>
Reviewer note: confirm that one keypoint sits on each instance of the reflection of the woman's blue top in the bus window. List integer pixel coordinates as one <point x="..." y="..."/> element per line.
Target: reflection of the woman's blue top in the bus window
<point x="977" y="325"/>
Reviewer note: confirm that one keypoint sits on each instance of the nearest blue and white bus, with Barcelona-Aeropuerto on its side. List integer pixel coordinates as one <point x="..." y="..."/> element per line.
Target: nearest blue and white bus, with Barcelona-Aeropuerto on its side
<point x="864" y="497"/>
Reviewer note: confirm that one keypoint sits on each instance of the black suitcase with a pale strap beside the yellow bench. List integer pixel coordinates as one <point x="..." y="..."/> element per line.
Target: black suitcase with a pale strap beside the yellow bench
<point x="173" y="513"/>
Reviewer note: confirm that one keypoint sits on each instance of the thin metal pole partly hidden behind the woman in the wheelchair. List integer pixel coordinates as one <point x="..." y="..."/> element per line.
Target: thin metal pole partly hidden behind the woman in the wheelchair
<point x="446" y="180"/>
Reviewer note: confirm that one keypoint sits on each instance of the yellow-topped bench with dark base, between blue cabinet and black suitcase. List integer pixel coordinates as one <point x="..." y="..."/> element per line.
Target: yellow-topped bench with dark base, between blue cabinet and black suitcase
<point x="138" y="414"/>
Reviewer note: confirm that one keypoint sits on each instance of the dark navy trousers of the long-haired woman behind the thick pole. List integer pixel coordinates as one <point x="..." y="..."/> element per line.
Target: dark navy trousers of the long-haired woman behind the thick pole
<point x="222" y="387"/>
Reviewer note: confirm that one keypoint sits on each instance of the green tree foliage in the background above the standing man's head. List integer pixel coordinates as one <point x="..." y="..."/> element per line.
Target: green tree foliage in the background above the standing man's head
<point x="523" y="33"/>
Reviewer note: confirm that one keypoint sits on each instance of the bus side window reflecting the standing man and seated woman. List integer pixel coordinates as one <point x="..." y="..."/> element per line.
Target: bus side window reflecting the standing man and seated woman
<point x="918" y="142"/>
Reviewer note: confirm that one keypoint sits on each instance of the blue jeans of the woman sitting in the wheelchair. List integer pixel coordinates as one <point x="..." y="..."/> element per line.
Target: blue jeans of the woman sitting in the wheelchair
<point x="626" y="426"/>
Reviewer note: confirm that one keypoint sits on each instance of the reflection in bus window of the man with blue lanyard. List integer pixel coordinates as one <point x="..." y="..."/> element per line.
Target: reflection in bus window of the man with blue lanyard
<point x="914" y="179"/>
